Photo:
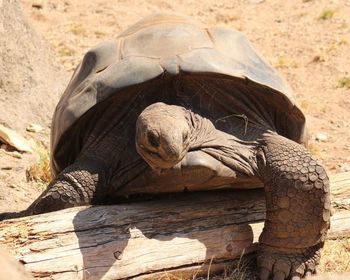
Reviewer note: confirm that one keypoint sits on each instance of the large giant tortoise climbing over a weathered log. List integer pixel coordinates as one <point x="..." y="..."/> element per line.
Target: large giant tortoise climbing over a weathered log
<point x="172" y="106"/>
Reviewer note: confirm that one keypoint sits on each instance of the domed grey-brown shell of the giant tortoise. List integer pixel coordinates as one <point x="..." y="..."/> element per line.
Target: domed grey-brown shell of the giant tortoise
<point x="172" y="44"/>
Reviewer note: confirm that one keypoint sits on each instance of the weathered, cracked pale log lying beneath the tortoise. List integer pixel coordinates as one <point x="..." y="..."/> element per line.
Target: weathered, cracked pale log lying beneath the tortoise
<point x="183" y="234"/>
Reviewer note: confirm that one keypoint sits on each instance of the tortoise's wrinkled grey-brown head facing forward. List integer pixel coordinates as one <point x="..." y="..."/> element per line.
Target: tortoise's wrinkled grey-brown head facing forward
<point x="163" y="135"/>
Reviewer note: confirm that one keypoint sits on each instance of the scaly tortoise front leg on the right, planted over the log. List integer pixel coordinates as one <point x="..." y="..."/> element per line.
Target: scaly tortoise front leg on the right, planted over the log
<point x="297" y="209"/>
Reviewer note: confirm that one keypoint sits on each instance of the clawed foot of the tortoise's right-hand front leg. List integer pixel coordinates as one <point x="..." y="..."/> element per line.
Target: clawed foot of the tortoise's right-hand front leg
<point x="277" y="264"/>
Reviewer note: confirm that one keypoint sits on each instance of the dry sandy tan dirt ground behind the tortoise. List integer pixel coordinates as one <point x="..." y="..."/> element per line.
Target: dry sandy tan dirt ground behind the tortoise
<point x="307" y="41"/>
